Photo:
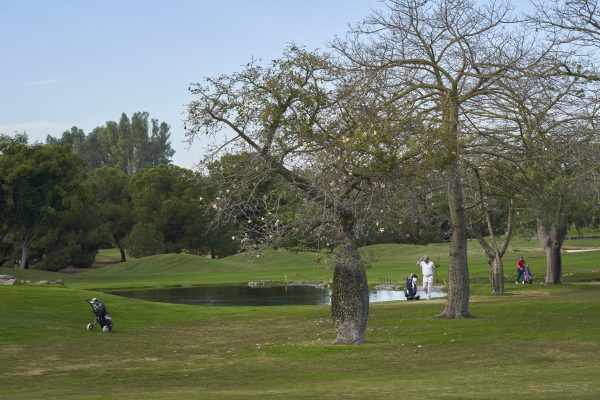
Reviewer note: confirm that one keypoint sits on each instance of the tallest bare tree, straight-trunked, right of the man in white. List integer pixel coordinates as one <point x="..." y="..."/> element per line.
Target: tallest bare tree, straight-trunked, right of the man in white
<point x="429" y="59"/>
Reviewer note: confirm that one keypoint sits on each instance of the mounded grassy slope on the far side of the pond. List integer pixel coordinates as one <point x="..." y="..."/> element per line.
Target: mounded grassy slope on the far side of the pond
<point x="385" y="263"/>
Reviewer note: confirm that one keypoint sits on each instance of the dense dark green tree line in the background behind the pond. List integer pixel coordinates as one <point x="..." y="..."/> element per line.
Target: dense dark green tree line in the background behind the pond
<point x="65" y="199"/>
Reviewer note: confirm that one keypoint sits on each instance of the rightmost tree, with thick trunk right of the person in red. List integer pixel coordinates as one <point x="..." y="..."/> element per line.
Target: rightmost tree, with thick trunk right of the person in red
<point x="548" y="134"/>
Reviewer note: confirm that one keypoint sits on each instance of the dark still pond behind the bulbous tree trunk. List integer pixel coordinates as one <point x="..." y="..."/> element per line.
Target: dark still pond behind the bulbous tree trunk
<point x="252" y="296"/>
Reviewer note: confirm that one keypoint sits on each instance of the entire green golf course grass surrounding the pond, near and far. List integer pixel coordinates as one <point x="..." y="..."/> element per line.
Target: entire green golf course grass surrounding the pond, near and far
<point x="533" y="342"/>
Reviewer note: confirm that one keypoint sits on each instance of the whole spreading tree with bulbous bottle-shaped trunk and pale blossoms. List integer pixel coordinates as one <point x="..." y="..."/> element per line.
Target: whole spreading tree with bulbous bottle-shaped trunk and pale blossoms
<point x="302" y="121"/>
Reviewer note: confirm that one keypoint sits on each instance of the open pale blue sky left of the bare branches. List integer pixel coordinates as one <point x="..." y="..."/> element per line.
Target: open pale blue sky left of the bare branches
<point x="81" y="63"/>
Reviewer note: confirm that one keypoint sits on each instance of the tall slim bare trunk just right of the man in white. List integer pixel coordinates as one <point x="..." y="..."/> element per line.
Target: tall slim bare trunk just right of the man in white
<point x="457" y="304"/>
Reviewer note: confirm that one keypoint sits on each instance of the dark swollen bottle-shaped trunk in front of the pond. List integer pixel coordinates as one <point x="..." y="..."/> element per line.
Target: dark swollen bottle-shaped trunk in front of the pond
<point x="350" y="292"/>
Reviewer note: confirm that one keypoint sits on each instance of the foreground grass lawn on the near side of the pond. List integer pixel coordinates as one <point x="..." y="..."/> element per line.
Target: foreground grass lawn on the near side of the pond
<point x="539" y="342"/>
